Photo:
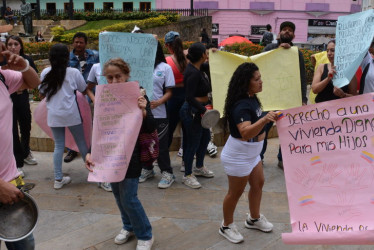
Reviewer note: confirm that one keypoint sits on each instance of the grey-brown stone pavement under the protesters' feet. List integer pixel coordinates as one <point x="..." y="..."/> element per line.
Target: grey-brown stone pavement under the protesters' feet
<point x="83" y="216"/>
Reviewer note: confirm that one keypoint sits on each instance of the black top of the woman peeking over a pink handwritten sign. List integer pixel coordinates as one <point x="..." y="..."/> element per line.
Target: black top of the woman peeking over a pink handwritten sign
<point x="135" y="167"/>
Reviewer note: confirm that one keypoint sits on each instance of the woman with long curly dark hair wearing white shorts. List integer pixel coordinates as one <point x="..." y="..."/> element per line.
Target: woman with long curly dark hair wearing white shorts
<point x="241" y="154"/>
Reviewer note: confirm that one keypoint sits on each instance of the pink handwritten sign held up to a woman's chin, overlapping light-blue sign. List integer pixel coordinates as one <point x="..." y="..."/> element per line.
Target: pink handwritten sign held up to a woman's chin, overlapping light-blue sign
<point x="117" y="122"/>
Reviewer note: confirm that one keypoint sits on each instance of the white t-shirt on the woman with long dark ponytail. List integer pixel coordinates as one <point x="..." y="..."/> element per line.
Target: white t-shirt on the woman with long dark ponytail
<point x="62" y="107"/>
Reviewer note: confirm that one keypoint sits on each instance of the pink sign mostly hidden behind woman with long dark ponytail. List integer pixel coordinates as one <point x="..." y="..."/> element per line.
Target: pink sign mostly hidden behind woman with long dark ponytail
<point x="40" y="117"/>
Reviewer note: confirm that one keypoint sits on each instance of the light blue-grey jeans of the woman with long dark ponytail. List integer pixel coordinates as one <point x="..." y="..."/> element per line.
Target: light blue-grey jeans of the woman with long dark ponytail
<point x="59" y="136"/>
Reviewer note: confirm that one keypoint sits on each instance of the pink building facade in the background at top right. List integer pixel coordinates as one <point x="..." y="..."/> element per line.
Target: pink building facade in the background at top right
<point x="249" y="17"/>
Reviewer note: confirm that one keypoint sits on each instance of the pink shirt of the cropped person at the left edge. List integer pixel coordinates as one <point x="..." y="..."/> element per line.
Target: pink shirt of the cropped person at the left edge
<point x="8" y="168"/>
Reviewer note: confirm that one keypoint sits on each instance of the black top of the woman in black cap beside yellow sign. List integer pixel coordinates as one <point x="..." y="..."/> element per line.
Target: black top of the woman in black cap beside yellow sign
<point x="196" y="84"/>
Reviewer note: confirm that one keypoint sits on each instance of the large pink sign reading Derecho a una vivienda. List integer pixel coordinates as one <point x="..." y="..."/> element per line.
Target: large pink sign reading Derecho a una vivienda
<point x="328" y="156"/>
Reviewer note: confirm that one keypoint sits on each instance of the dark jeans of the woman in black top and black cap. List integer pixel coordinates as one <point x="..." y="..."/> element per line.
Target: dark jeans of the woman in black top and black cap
<point x="196" y="140"/>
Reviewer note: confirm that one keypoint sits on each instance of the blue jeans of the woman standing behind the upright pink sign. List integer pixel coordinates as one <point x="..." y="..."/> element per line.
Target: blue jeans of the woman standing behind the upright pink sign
<point x="133" y="215"/>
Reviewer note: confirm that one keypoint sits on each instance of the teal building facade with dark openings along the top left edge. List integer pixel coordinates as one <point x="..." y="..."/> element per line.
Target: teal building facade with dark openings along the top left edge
<point x="88" y="5"/>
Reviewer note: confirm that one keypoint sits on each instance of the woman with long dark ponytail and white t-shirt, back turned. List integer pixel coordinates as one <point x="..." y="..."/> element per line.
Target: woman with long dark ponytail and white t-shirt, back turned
<point x="59" y="83"/>
